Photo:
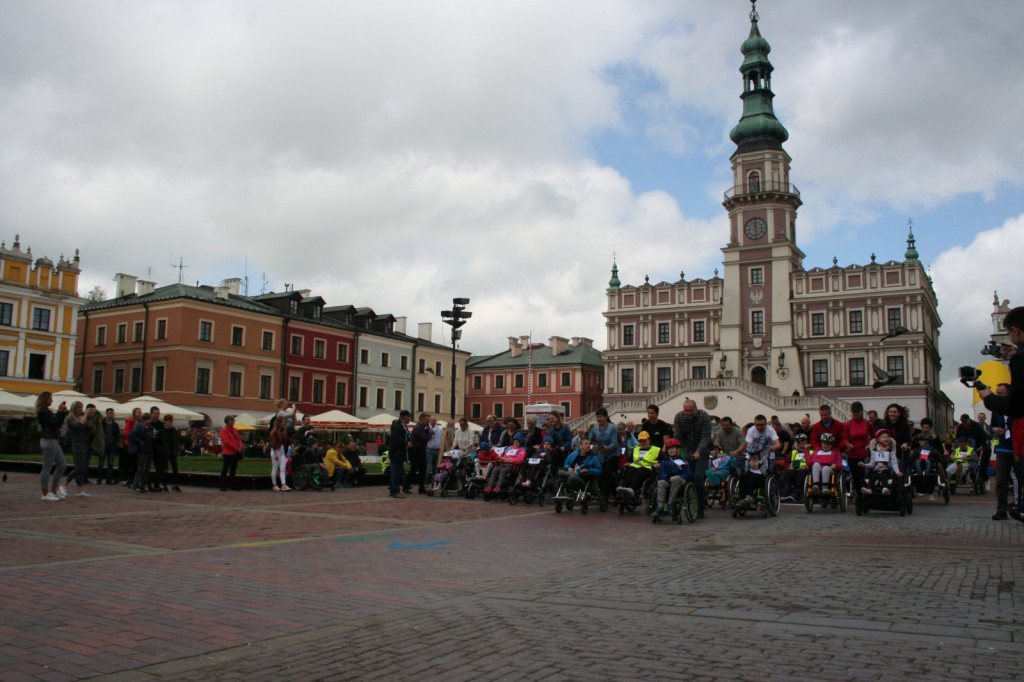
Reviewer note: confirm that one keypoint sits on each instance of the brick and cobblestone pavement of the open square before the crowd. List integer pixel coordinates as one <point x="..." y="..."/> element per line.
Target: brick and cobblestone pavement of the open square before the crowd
<point x="353" y="585"/>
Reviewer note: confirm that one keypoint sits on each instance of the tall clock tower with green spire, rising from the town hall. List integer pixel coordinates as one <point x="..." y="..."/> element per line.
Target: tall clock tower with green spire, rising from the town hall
<point x="757" y="316"/>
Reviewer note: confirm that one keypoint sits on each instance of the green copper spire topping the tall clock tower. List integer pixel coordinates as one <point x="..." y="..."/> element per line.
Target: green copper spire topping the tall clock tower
<point x="758" y="125"/>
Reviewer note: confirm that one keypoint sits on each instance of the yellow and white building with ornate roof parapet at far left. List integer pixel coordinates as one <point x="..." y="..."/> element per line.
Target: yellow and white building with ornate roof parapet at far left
<point x="38" y="316"/>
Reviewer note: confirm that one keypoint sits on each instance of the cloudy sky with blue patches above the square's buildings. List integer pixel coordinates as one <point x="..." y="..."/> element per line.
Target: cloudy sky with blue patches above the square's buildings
<point x="397" y="153"/>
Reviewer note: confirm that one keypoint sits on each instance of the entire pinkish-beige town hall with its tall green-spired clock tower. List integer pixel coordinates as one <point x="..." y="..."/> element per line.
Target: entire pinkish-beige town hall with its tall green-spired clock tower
<point x="771" y="334"/>
